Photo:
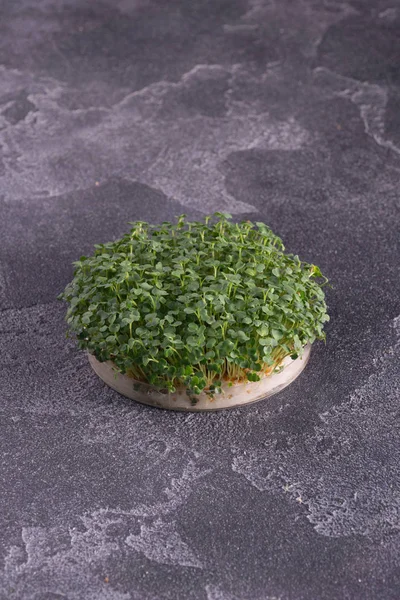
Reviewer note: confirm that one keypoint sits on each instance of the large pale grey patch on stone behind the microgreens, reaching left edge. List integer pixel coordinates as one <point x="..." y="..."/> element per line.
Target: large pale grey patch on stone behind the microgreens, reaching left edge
<point x="136" y="139"/>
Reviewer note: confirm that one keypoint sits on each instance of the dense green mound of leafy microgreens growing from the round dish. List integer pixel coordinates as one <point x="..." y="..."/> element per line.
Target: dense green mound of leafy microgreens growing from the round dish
<point x="195" y="303"/>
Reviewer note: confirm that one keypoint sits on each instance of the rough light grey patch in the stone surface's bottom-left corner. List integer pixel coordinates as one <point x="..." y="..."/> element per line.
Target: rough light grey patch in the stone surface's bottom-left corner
<point x="76" y="559"/>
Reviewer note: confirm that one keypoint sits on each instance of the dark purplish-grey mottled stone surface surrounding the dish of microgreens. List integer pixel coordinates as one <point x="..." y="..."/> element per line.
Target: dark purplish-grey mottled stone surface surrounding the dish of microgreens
<point x="285" y="111"/>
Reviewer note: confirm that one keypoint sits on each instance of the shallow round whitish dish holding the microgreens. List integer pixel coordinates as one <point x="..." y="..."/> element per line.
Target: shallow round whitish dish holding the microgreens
<point x="232" y="395"/>
